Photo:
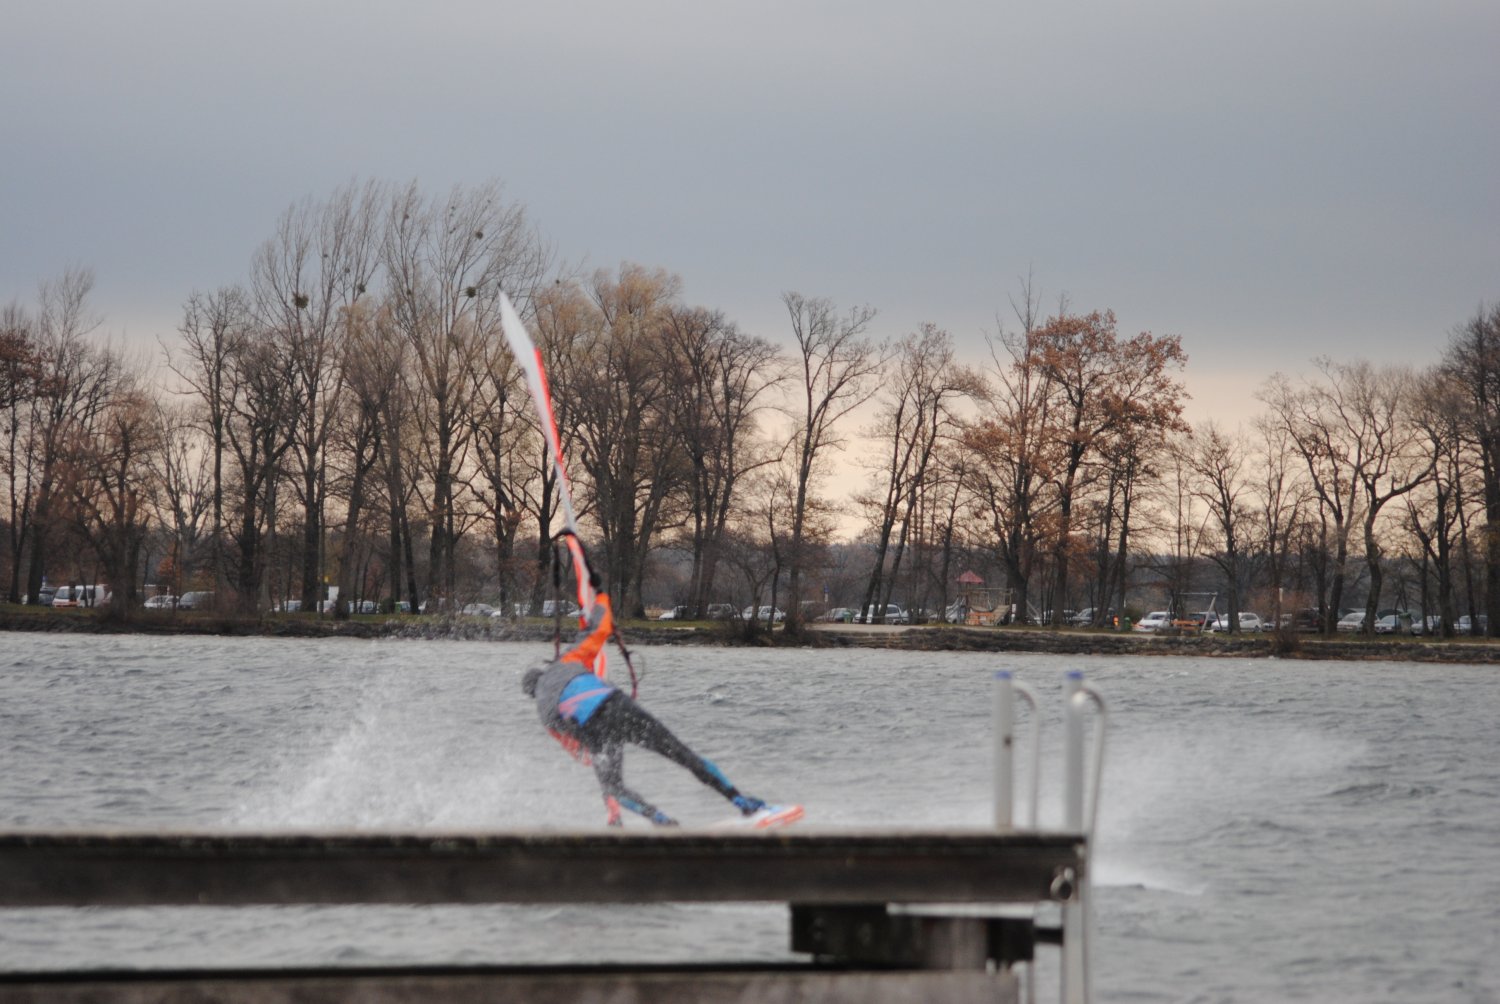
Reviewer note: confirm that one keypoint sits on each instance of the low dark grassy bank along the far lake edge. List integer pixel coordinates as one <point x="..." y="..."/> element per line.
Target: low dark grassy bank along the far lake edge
<point x="919" y="639"/>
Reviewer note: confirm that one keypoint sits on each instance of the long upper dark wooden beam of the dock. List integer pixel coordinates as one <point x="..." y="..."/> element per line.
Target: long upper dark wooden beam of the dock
<point x="229" y="870"/>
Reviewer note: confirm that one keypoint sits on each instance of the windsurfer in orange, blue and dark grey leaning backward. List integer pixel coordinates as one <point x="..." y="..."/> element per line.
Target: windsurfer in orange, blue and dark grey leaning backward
<point x="589" y="715"/>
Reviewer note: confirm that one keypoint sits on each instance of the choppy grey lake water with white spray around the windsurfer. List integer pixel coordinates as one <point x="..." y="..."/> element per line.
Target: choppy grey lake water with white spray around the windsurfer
<point x="1270" y="831"/>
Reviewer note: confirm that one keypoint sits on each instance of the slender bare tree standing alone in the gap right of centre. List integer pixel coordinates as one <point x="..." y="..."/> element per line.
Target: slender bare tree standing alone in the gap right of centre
<point x="836" y="368"/>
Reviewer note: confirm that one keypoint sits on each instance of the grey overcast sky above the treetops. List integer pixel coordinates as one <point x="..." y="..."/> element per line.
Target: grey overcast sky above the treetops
<point x="1270" y="181"/>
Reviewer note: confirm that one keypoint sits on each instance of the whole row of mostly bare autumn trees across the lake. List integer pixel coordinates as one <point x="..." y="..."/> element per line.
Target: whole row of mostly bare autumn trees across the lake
<point x="350" y="416"/>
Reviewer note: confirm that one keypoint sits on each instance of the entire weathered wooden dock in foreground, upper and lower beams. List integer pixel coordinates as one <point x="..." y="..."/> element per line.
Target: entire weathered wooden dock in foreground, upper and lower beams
<point x="890" y="916"/>
